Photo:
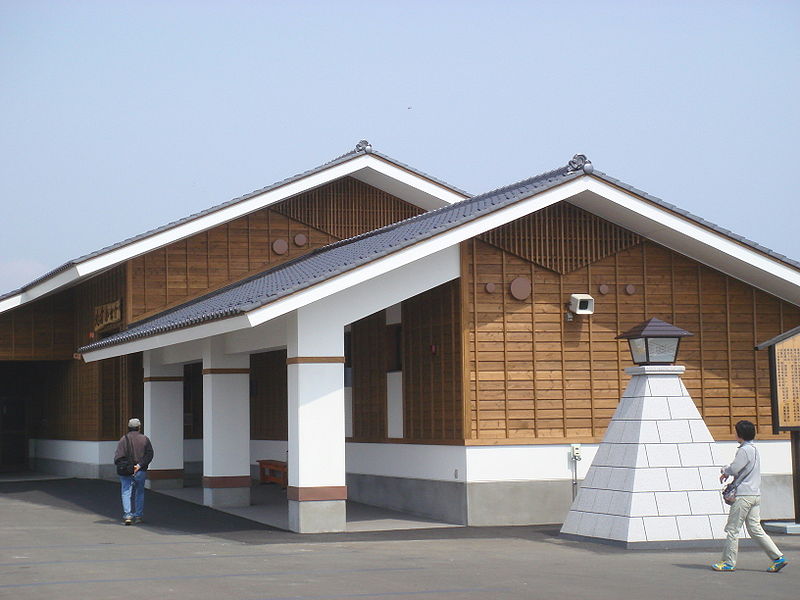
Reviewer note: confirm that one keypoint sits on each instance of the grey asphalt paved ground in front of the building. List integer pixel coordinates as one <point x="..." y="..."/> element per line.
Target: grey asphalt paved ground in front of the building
<point x="62" y="539"/>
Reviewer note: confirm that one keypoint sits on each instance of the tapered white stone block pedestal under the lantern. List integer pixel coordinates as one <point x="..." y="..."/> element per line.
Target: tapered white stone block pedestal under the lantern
<point x="654" y="482"/>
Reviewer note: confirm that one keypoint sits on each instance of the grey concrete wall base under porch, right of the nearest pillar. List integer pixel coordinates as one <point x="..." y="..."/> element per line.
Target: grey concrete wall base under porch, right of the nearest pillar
<point x="442" y="500"/>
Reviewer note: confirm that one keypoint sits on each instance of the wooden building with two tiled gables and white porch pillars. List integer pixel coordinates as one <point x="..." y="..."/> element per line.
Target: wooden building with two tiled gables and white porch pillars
<point x="393" y="339"/>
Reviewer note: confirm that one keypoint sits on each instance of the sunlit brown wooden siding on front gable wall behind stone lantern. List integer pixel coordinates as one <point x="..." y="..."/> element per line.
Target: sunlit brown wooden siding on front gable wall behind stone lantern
<point x="534" y="377"/>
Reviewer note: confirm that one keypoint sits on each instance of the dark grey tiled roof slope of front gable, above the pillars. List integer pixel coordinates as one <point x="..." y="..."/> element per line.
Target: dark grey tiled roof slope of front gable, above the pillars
<point x="331" y="260"/>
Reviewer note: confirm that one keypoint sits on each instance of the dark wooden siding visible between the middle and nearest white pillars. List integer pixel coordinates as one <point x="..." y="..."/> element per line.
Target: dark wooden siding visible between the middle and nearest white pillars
<point x="269" y="417"/>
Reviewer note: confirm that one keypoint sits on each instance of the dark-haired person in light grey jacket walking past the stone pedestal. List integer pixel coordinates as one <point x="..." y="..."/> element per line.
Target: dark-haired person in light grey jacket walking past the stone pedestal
<point x="746" y="471"/>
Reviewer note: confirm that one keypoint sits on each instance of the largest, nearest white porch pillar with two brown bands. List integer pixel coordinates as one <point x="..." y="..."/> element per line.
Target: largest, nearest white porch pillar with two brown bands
<point x="315" y="364"/>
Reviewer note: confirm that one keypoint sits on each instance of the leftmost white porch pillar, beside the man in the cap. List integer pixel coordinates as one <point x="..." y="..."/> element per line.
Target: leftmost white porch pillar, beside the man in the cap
<point x="163" y="422"/>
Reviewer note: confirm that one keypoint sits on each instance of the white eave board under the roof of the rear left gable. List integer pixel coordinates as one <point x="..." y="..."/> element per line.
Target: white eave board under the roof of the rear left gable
<point x="369" y="168"/>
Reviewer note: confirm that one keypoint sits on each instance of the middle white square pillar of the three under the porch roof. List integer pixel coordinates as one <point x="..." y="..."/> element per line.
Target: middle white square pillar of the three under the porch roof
<point x="226" y="427"/>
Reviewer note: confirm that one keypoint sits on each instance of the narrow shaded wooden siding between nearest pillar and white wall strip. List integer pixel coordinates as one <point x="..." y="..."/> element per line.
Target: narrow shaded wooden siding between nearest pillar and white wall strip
<point x="369" y="360"/>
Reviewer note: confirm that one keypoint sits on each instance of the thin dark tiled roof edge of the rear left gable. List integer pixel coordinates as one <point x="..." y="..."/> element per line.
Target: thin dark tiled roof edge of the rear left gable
<point x="361" y="150"/>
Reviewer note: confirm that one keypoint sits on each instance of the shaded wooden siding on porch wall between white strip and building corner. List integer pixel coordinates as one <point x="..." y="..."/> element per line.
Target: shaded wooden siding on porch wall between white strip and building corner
<point x="433" y="409"/>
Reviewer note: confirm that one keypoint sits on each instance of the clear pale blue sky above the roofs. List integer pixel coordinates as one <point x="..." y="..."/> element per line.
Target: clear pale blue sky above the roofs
<point x="117" y="117"/>
